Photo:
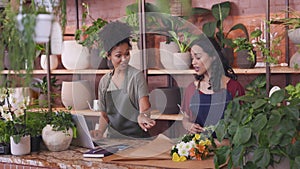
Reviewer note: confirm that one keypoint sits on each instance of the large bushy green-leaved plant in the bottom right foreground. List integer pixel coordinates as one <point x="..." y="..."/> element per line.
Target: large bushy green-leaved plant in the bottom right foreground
<point x="262" y="131"/>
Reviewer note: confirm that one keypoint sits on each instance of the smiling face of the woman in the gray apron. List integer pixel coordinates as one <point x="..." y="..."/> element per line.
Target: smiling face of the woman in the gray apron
<point x="120" y="56"/>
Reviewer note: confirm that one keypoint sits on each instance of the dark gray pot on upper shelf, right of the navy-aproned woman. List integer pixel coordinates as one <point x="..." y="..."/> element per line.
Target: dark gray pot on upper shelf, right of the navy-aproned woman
<point x="242" y="60"/>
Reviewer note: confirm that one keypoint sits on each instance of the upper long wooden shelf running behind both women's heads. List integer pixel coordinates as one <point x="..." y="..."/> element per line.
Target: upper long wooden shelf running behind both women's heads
<point x="261" y="70"/>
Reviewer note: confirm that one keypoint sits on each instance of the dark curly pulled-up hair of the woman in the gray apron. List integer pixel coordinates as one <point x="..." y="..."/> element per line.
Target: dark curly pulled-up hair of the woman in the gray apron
<point x="113" y="34"/>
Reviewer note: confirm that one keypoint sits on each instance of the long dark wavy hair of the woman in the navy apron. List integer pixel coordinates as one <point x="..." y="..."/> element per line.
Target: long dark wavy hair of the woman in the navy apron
<point x="219" y="66"/>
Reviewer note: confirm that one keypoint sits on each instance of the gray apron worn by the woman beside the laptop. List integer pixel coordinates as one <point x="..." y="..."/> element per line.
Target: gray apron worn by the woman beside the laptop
<point x="122" y="114"/>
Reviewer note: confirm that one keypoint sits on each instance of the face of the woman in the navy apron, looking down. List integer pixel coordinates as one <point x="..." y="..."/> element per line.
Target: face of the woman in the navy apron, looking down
<point x="201" y="61"/>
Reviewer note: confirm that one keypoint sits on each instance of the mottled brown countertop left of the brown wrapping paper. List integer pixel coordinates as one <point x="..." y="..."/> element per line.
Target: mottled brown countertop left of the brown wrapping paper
<point x="68" y="159"/>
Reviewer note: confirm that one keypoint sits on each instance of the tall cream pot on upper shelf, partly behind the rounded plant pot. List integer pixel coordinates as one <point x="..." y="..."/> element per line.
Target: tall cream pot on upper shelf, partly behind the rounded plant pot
<point x="166" y="54"/>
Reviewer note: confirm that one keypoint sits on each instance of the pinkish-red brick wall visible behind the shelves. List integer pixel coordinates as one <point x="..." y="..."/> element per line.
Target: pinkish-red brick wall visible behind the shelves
<point x="248" y="12"/>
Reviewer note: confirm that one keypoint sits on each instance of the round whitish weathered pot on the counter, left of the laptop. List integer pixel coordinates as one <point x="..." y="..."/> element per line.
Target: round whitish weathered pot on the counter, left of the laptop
<point x="56" y="140"/>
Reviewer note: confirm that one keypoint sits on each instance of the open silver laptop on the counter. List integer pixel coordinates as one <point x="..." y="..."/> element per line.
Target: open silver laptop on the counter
<point x="84" y="138"/>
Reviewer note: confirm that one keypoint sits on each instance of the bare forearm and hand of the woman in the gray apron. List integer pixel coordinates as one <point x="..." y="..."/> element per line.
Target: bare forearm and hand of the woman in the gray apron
<point x="144" y="117"/>
